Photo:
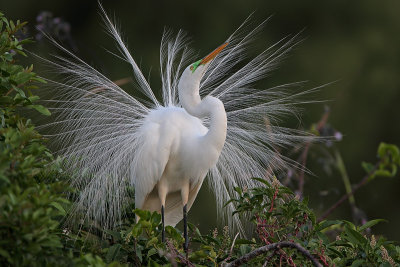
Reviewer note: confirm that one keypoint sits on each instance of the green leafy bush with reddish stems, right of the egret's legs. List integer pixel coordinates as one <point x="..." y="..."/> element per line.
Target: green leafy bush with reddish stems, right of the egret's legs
<point x="279" y="216"/>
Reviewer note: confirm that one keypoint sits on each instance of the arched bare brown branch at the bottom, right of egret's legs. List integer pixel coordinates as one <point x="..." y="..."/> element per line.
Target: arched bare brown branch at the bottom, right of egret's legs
<point x="246" y="258"/>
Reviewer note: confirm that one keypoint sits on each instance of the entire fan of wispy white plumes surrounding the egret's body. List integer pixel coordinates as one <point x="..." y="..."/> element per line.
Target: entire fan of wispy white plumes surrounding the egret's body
<point x="95" y="122"/>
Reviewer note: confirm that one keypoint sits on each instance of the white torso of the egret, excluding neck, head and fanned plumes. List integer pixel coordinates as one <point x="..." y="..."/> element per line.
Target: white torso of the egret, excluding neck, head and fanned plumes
<point x="173" y="140"/>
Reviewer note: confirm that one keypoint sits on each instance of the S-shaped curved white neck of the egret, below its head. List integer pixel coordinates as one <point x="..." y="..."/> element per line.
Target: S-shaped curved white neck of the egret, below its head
<point x="208" y="107"/>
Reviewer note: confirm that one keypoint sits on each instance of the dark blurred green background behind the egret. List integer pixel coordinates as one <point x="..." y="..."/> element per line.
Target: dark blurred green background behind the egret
<point x="355" y="43"/>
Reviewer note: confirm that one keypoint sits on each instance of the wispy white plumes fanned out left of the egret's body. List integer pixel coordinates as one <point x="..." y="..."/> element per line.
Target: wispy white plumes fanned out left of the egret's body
<point x="96" y="131"/>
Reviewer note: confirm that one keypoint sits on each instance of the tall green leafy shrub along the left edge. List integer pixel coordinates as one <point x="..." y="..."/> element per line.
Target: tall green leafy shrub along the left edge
<point x="31" y="207"/>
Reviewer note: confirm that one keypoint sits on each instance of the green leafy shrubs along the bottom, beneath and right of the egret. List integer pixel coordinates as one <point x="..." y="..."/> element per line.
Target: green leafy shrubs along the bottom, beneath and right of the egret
<point x="274" y="213"/>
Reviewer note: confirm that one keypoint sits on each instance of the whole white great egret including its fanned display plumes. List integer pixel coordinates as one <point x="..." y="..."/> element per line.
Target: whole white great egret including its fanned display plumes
<point x="165" y="150"/>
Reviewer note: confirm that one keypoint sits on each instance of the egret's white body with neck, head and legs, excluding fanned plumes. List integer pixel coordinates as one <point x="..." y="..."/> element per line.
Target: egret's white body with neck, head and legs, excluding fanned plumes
<point x="178" y="150"/>
